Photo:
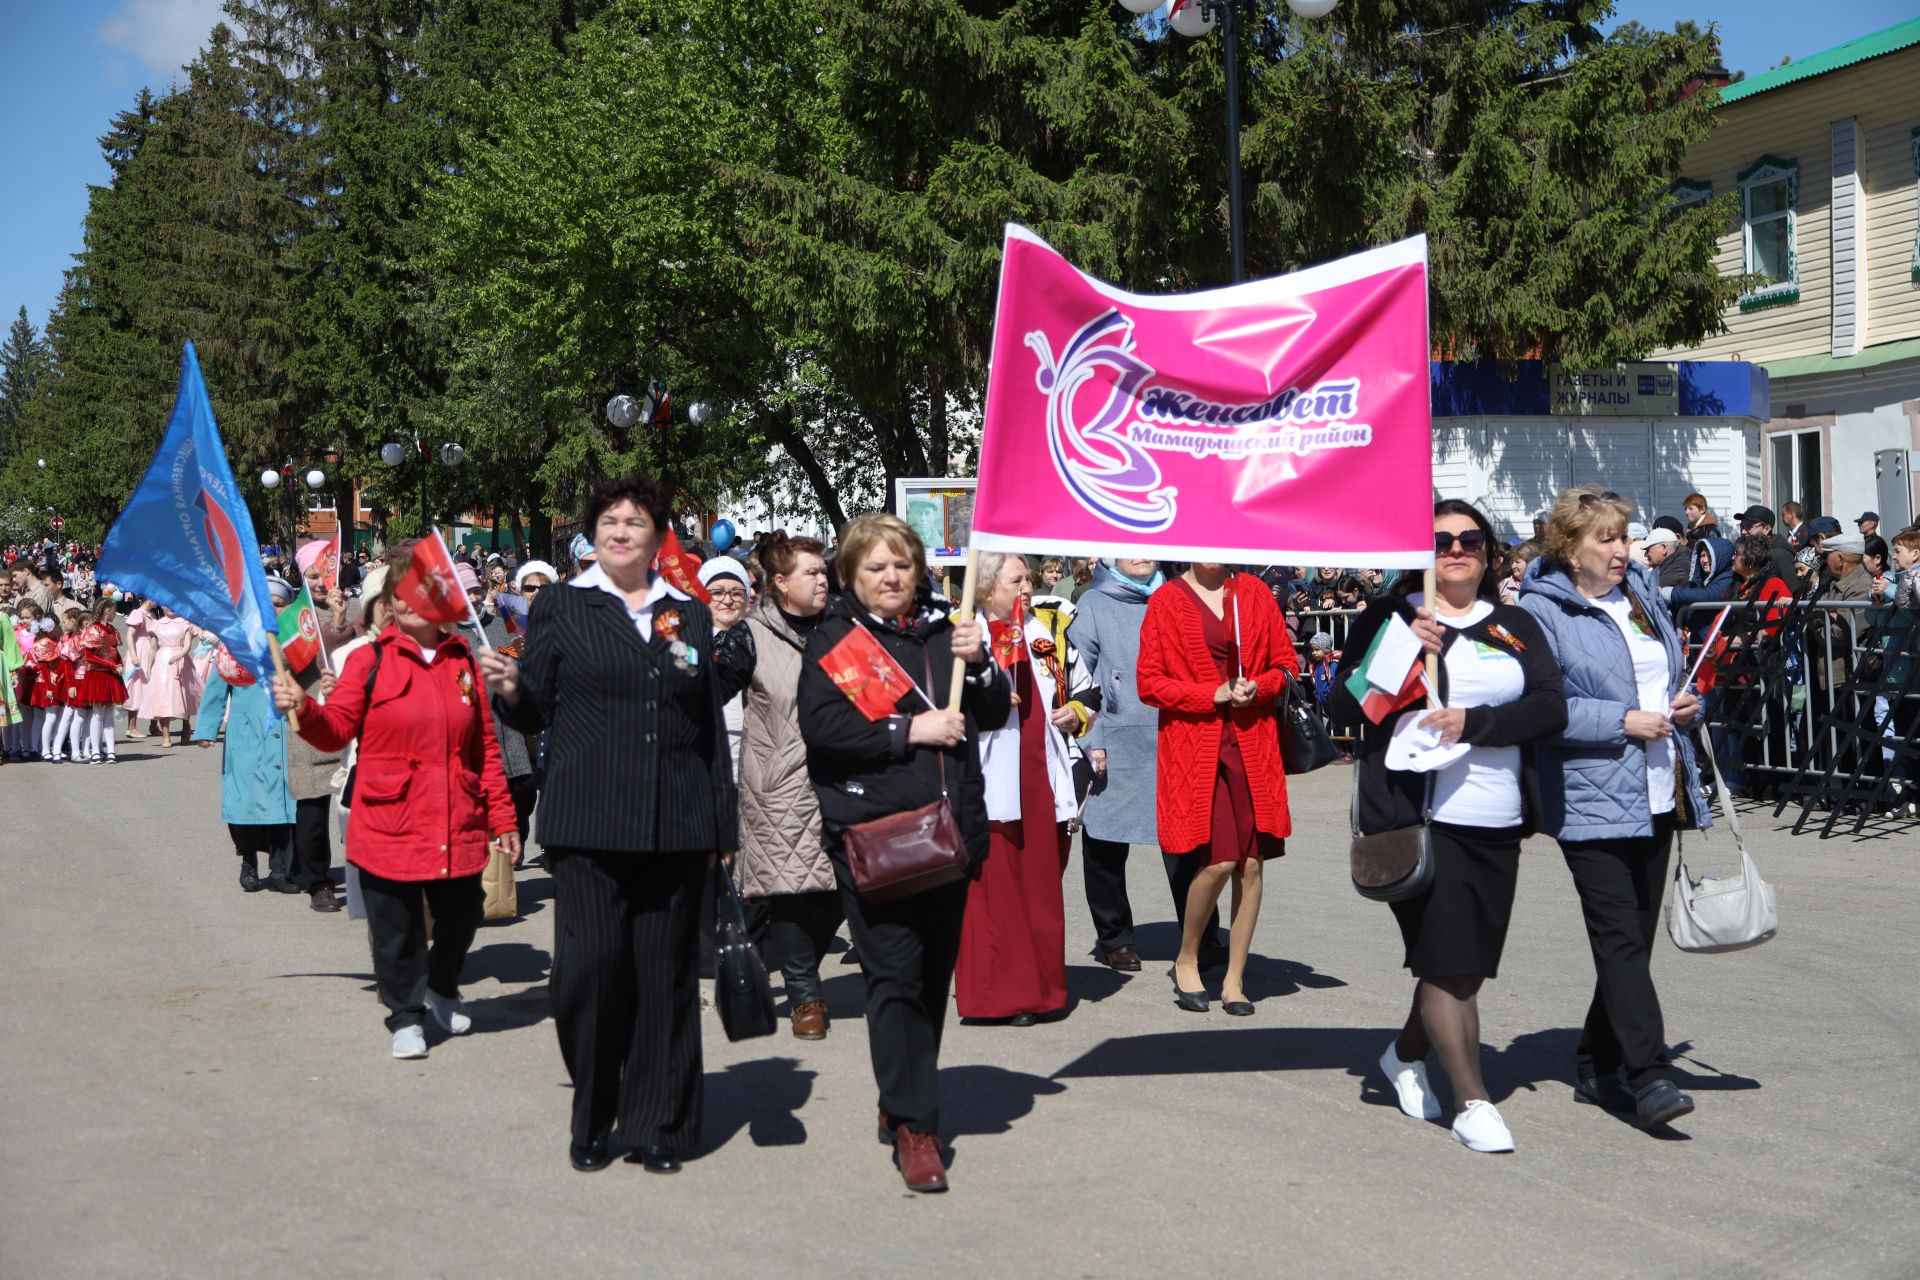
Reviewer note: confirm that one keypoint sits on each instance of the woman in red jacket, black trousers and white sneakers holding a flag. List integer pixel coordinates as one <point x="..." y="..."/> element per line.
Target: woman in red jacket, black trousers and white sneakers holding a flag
<point x="429" y="792"/>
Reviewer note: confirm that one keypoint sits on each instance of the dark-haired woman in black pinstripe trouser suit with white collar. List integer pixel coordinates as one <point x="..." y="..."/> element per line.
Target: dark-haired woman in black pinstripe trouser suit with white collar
<point x="625" y="673"/>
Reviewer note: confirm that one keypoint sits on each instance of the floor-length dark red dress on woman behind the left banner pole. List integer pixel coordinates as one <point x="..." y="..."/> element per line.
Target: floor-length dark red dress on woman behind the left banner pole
<point x="1015" y="934"/>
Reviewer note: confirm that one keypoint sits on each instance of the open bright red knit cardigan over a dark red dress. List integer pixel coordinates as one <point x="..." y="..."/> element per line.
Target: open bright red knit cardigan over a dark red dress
<point x="1178" y="675"/>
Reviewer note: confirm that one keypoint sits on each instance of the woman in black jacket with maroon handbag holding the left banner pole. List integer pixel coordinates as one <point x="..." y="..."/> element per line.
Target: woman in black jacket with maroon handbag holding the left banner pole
<point x="900" y="759"/>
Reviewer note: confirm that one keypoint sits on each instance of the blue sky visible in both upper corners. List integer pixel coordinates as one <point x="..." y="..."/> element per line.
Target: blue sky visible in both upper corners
<point x="68" y="66"/>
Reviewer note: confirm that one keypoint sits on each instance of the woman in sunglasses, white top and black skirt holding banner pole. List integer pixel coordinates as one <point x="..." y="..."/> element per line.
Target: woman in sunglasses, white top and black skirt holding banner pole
<point x="1500" y="690"/>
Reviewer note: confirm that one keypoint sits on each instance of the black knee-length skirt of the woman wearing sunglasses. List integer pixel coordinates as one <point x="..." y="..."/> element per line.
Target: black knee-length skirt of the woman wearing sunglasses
<point x="1460" y="926"/>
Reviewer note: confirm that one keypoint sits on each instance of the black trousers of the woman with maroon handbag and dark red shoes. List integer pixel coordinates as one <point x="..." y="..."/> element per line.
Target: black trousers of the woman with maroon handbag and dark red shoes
<point x="907" y="953"/>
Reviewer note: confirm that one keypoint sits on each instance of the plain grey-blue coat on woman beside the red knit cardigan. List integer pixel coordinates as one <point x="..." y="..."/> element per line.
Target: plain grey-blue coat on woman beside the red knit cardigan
<point x="1107" y="632"/>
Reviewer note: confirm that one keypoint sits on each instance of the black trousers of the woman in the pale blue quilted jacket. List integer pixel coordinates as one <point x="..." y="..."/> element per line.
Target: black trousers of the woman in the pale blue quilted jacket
<point x="1621" y="886"/>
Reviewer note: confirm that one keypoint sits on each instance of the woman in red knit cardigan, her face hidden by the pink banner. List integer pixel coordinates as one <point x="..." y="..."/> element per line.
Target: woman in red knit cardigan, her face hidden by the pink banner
<point x="1212" y="659"/>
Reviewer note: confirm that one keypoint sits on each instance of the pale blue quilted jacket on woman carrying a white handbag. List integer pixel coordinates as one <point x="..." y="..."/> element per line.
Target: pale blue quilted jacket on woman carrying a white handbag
<point x="1593" y="776"/>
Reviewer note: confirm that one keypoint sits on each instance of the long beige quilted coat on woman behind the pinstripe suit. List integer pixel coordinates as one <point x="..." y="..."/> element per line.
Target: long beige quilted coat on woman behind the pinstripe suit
<point x="780" y="847"/>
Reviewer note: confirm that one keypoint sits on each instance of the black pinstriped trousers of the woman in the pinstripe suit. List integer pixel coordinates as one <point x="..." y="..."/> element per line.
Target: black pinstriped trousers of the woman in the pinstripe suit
<point x="625" y="993"/>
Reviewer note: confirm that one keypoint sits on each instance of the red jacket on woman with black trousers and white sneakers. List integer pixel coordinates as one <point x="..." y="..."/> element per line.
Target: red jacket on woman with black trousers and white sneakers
<point x="429" y="788"/>
